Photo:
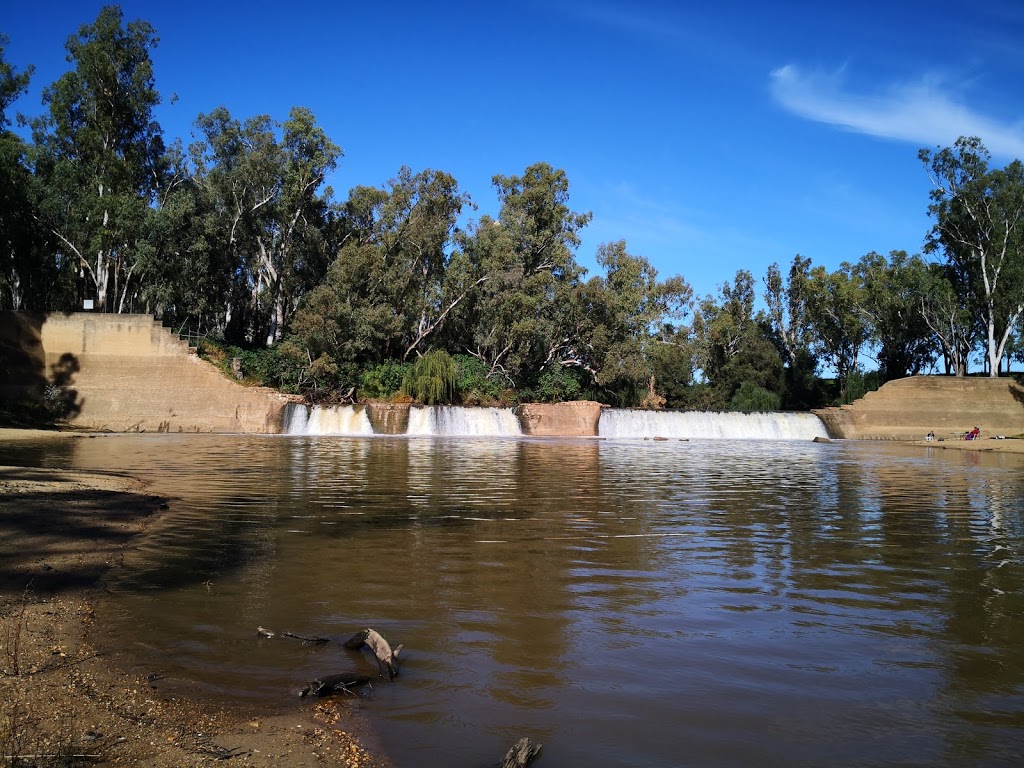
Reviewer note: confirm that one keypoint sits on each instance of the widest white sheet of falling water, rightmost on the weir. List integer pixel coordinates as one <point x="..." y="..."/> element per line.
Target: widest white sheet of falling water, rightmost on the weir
<point x="712" y="425"/>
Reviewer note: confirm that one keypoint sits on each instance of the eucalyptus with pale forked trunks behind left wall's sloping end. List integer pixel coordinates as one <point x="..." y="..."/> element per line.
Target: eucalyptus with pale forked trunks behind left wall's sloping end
<point x="267" y="184"/>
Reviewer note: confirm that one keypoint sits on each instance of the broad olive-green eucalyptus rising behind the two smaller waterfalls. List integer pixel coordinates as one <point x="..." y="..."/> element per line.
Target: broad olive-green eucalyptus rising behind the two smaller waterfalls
<point x="396" y="279"/>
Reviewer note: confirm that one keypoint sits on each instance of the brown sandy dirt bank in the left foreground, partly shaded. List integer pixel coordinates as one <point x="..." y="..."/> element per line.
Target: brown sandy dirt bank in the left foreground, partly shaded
<point x="62" y="694"/>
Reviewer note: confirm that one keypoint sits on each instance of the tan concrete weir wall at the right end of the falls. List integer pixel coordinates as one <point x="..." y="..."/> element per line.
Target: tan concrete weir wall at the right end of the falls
<point x="910" y="409"/>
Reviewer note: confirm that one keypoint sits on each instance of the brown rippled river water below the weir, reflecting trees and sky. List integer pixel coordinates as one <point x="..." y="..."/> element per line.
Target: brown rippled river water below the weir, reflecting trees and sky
<point x="624" y="603"/>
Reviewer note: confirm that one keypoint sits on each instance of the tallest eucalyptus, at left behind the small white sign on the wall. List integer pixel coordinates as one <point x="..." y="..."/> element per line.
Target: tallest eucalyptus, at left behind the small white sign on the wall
<point x="100" y="153"/>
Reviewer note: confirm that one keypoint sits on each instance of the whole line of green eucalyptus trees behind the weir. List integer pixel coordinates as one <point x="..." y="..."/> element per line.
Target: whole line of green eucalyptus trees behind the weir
<point x="237" y="236"/>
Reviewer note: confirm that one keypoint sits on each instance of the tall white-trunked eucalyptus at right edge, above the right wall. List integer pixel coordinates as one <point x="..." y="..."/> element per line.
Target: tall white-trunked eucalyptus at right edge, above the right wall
<point x="979" y="227"/>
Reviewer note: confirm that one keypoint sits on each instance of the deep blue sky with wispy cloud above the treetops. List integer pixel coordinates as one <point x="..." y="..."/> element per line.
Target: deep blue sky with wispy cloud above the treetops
<point x="711" y="137"/>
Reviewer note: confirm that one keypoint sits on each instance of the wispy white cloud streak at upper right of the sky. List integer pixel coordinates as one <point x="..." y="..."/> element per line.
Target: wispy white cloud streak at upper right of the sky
<point x="920" y="113"/>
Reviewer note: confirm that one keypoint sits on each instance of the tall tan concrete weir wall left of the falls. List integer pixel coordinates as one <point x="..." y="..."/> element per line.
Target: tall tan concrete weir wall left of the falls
<point x="130" y="374"/>
